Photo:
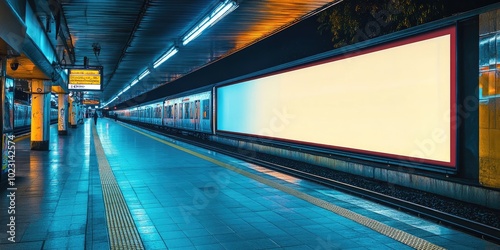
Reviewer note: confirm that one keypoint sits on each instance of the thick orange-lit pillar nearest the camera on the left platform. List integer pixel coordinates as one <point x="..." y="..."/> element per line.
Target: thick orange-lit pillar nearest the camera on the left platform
<point x="40" y="114"/>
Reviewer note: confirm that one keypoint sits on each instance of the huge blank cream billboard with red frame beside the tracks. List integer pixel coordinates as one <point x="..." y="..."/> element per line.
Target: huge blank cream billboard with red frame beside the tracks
<point x="392" y="100"/>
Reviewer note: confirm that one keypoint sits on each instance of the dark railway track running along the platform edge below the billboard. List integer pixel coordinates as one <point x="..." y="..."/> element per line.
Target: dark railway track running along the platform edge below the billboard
<point x="469" y="226"/>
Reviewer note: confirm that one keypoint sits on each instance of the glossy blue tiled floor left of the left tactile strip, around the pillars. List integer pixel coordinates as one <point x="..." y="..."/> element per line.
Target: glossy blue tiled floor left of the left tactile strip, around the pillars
<point x="58" y="199"/>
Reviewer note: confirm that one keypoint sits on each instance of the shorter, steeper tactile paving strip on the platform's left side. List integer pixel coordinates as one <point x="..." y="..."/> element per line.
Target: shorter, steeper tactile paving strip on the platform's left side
<point x="122" y="231"/>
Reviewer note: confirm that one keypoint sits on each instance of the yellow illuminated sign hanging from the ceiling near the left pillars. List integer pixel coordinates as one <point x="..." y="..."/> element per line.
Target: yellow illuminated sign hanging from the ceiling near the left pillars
<point x="84" y="79"/>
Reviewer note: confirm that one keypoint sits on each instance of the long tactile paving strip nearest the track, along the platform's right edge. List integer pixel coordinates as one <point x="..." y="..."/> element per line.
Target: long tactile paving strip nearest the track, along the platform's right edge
<point x="396" y="234"/>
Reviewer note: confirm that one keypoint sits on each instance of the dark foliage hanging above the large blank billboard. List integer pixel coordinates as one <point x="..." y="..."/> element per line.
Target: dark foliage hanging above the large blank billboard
<point x="355" y="20"/>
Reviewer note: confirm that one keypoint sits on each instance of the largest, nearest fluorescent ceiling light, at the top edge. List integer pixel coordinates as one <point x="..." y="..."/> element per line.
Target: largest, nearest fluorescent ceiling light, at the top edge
<point x="219" y="12"/>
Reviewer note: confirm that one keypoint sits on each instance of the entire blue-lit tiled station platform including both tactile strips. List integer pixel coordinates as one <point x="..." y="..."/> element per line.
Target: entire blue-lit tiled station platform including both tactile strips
<point x="114" y="186"/>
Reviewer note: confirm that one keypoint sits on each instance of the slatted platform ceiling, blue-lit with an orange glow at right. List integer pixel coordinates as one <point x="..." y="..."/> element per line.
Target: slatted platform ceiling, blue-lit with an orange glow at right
<point x="132" y="34"/>
